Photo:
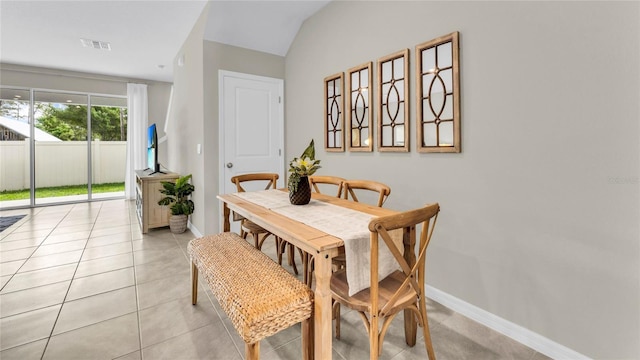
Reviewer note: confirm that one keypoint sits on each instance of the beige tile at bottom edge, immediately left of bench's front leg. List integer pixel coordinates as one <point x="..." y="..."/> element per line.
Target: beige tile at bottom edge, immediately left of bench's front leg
<point x="202" y="343"/>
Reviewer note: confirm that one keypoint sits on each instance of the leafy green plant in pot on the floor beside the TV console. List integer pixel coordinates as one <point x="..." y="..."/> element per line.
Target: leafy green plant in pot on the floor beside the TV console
<point x="177" y="197"/>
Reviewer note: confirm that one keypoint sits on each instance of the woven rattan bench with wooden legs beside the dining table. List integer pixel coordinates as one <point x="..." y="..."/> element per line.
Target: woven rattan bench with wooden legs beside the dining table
<point x="258" y="295"/>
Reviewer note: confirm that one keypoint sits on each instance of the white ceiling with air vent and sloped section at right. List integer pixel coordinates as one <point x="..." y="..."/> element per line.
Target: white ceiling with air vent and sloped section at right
<point x="145" y="35"/>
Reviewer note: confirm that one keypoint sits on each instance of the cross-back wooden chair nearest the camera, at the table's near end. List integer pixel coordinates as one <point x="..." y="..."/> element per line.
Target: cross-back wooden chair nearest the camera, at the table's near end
<point x="402" y="290"/>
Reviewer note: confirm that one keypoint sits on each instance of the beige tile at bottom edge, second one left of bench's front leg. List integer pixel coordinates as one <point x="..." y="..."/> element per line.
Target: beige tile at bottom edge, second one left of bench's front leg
<point x="105" y="340"/>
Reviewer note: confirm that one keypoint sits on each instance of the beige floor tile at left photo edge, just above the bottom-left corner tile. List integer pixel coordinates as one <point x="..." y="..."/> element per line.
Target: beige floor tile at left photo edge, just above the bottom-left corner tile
<point x="27" y="327"/>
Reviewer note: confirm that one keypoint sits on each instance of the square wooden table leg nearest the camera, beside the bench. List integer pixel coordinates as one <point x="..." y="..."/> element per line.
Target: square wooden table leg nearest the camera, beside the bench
<point x="322" y="304"/>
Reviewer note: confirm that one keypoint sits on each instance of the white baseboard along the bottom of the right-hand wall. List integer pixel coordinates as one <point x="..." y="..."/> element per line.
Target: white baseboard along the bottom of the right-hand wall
<point x="520" y="334"/>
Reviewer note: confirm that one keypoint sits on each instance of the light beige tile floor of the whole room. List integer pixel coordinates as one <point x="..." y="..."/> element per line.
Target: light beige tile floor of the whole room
<point x="82" y="282"/>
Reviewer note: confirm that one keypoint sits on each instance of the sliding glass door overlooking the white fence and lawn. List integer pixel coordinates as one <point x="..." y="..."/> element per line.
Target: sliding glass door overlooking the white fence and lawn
<point x="73" y="150"/>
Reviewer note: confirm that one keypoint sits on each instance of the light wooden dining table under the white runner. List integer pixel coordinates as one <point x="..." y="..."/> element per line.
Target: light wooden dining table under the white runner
<point x="311" y="240"/>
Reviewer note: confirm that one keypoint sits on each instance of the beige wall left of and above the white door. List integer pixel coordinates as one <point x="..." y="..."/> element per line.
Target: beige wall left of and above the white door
<point x="194" y="114"/>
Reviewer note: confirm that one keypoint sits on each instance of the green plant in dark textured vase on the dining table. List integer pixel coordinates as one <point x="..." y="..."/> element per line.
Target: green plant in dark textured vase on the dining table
<point x="300" y="168"/>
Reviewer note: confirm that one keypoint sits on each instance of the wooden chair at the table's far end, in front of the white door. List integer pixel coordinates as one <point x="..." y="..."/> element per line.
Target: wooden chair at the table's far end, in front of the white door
<point x="258" y="233"/>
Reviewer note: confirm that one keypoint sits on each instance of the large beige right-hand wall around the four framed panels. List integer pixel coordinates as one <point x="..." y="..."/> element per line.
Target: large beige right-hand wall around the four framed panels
<point x="539" y="220"/>
